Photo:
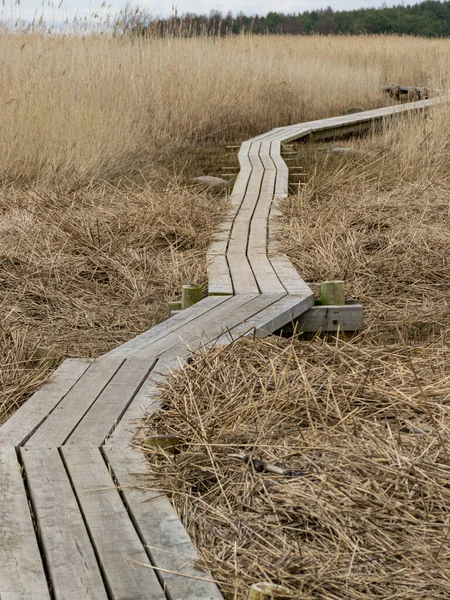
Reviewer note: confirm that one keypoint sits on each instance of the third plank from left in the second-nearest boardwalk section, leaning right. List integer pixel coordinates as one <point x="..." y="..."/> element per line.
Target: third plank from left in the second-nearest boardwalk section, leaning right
<point x="112" y="403"/>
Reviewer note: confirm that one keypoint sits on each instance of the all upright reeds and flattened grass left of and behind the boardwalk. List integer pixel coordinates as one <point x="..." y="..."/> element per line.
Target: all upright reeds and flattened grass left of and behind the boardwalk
<point x="96" y="136"/>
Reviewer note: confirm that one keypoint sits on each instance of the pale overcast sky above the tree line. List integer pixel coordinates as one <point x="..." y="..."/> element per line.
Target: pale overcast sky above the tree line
<point x="27" y="8"/>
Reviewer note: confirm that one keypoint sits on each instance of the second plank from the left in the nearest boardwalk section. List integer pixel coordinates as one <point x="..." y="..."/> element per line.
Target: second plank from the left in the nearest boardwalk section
<point x="70" y="558"/>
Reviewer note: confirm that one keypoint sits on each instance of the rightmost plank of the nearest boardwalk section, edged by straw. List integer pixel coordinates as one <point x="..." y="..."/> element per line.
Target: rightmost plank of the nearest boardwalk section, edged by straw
<point x="161" y="530"/>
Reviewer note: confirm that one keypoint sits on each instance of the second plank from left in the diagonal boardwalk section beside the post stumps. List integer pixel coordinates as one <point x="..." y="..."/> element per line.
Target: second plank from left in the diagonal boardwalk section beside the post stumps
<point x="201" y="331"/>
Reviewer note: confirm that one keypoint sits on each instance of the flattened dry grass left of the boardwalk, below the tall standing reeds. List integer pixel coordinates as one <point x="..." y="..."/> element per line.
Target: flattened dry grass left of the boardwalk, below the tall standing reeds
<point x="82" y="273"/>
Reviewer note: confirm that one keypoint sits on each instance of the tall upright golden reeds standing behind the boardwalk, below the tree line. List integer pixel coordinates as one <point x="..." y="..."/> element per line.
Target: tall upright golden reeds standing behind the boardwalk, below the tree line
<point x="80" y="108"/>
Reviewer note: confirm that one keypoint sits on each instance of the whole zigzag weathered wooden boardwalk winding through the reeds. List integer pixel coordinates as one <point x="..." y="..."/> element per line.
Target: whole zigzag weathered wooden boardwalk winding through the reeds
<point x="73" y="523"/>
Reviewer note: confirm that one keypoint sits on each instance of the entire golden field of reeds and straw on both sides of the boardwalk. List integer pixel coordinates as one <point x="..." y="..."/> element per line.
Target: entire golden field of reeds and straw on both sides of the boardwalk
<point x="100" y="227"/>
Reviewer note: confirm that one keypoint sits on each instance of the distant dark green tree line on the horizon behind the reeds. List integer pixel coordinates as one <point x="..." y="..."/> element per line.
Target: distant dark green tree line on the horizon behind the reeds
<point x="430" y="18"/>
